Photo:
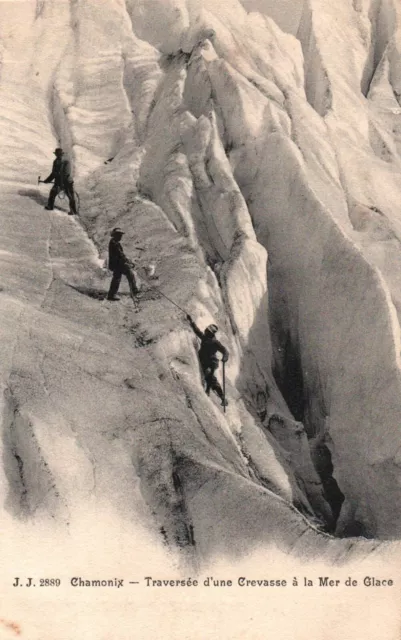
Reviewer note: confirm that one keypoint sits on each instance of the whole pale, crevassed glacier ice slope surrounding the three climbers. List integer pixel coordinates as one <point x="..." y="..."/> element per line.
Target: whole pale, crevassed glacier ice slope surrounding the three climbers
<point x="248" y="166"/>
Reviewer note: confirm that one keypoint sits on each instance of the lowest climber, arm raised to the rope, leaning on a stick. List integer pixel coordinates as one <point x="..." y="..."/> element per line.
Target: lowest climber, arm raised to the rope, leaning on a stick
<point x="208" y="357"/>
